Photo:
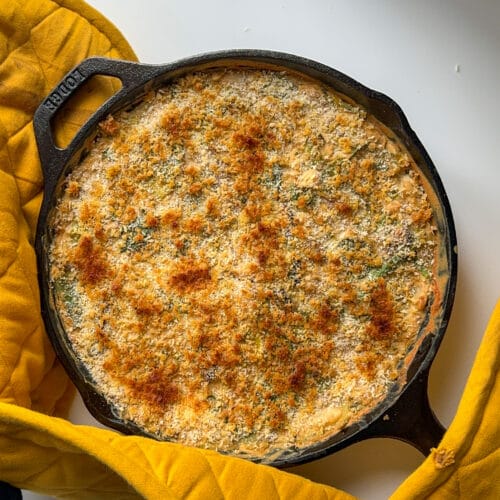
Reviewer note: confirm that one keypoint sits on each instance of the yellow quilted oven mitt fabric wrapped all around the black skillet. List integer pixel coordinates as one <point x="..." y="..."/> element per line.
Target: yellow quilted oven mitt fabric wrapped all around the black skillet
<point x="40" y="40"/>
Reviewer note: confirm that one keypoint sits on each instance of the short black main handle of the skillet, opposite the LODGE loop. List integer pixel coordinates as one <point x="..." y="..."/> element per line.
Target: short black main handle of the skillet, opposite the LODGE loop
<point x="411" y="419"/>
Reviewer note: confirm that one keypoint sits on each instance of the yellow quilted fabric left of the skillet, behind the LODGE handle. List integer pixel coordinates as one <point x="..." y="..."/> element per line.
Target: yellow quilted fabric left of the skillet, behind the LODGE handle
<point x="26" y="75"/>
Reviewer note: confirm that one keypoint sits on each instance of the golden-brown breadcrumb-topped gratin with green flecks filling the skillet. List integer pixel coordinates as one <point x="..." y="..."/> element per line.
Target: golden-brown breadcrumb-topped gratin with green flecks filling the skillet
<point x="244" y="261"/>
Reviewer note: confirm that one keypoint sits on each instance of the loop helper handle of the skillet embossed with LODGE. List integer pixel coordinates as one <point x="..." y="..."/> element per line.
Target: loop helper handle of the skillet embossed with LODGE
<point x="131" y="75"/>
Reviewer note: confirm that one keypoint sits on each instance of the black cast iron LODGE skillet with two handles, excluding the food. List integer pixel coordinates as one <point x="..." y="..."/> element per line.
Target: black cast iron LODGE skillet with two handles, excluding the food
<point x="405" y="414"/>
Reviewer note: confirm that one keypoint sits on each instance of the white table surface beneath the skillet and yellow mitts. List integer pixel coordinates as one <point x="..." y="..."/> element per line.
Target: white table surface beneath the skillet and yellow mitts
<point x="440" y="60"/>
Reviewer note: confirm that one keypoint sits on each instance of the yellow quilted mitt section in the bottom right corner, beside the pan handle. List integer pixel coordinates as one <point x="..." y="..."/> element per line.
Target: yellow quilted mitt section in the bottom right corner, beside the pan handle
<point x="466" y="463"/>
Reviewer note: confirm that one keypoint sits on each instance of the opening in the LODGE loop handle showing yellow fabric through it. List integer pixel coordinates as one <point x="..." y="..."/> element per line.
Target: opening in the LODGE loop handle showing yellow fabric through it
<point x="80" y="107"/>
